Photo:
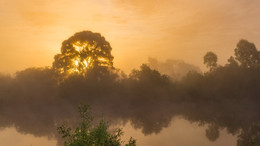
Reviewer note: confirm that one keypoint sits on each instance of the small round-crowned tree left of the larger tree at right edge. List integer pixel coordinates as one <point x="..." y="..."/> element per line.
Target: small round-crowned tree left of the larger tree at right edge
<point x="210" y="60"/>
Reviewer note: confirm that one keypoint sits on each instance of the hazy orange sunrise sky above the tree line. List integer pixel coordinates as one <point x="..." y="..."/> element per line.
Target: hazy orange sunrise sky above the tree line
<point x="32" y="30"/>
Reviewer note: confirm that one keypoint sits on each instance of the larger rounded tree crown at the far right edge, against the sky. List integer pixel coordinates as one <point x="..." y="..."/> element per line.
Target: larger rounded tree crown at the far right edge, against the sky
<point x="247" y="54"/>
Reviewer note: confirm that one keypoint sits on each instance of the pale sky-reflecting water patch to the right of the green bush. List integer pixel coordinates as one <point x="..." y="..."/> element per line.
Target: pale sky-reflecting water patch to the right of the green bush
<point x="180" y="133"/>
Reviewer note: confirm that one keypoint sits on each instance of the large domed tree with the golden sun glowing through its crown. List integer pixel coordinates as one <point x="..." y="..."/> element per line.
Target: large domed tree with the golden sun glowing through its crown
<point x="83" y="51"/>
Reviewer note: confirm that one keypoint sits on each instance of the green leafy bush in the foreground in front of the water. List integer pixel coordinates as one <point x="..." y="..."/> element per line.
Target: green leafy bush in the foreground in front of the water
<point x="88" y="135"/>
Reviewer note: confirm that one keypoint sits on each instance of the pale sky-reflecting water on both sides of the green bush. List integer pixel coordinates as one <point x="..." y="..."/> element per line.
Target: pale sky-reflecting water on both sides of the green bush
<point x="180" y="132"/>
